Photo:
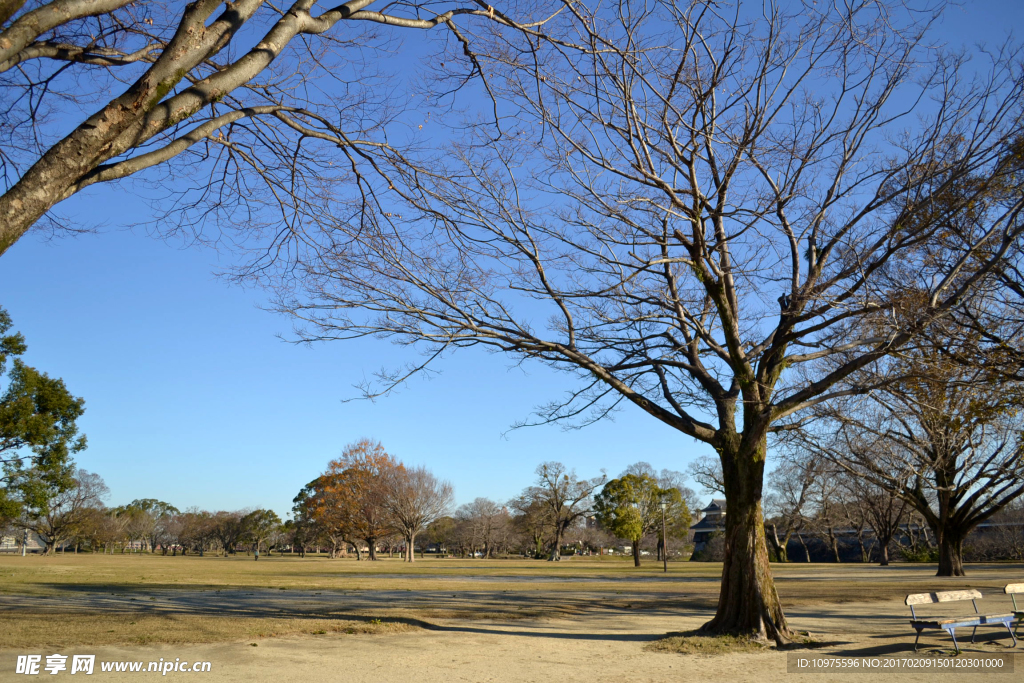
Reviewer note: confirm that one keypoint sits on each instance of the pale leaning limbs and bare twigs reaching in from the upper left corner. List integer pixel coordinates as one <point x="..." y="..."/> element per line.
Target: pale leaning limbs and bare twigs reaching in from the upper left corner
<point x="246" y="97"/>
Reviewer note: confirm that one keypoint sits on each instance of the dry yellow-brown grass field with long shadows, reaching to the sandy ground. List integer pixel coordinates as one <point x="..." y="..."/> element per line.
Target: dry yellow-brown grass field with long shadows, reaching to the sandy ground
<point x="65" y="601"/>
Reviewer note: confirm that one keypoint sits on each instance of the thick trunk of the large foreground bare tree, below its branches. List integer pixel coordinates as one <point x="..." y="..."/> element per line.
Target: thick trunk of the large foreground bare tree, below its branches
<point x="748" y="604"/>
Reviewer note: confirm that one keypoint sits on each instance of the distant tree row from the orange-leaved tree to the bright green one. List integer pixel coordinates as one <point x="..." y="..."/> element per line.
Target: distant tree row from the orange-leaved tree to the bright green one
<point x="367" y="500"/>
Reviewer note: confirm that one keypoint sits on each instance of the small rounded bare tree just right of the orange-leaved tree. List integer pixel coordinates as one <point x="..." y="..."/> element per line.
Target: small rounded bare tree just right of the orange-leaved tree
<point x="413" y="499"/>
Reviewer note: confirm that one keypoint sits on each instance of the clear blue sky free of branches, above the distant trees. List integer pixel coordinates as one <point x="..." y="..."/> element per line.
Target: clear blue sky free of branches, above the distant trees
<point x="193" y="399"/>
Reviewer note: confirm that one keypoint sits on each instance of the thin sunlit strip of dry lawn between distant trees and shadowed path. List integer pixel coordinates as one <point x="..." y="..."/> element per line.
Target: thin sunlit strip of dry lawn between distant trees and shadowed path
<point x="143" y="573"/>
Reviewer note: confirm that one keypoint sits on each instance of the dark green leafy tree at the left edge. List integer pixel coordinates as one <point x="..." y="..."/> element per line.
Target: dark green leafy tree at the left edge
<point x="38" y="430"/>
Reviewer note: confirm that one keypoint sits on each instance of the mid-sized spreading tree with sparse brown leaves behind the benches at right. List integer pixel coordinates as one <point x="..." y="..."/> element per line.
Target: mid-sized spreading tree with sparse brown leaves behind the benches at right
<point x="946" y="439"/>
